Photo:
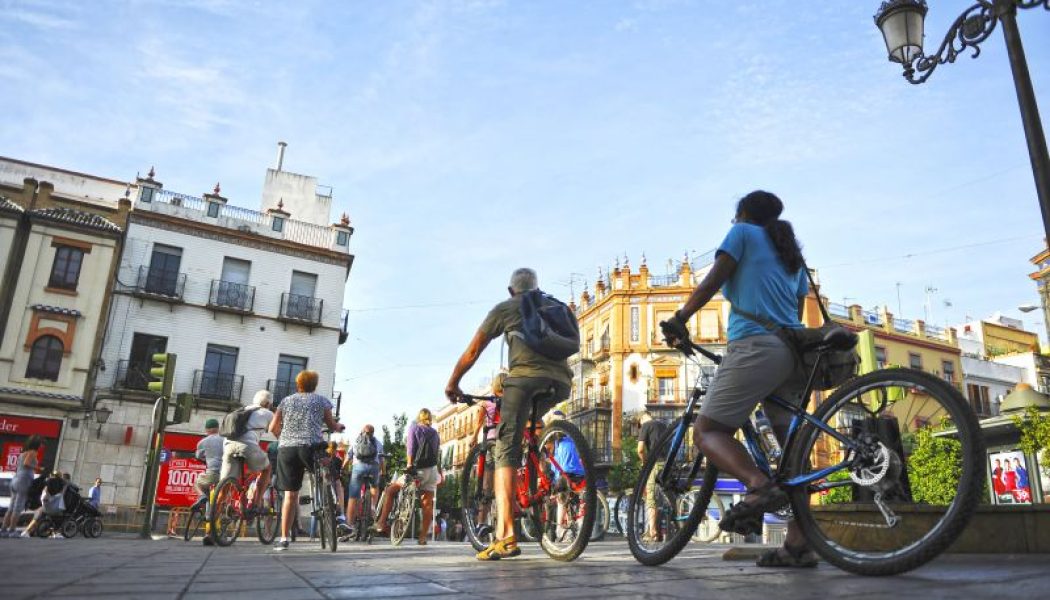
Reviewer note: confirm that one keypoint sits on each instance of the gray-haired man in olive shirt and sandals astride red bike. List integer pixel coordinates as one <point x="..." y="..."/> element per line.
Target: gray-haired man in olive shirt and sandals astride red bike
<point x="533" y="380"/>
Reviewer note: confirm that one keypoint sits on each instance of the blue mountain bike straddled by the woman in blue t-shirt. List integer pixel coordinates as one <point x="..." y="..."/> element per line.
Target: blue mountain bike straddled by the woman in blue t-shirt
<point x="855" y="492"/>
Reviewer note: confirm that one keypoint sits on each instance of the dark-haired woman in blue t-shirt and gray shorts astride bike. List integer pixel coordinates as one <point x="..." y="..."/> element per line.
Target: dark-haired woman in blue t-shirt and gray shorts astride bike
<point x="760" y="271"/>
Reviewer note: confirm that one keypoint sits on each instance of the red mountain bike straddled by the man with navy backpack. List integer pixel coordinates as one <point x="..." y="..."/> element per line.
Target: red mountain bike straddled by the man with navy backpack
<point x="558" y="507"/>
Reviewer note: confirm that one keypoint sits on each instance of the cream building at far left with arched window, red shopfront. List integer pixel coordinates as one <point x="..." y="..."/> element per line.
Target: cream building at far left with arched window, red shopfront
<point x="61" y="237"/>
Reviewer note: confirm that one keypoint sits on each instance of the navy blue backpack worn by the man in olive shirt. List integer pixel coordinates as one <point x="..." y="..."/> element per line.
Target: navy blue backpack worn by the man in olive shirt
<point x="549" y="326"/>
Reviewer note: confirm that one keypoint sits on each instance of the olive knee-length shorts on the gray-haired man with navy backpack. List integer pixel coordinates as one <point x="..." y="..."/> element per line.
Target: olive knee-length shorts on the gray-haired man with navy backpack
<point x="519" y="396"/>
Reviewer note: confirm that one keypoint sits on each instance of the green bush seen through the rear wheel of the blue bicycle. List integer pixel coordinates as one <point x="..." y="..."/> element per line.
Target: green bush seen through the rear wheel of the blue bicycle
<point x="935" y="468"/>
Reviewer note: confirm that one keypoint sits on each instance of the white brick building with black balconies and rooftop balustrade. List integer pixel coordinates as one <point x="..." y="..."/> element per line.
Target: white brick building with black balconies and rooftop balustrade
<point x="245" y="299"/>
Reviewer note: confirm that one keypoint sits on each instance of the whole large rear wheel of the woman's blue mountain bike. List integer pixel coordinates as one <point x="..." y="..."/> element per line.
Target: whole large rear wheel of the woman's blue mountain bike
<point x="910" y="486"/>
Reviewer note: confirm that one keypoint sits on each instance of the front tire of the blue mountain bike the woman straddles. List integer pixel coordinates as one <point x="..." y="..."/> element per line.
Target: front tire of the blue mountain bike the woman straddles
<point x="683" y="534"/>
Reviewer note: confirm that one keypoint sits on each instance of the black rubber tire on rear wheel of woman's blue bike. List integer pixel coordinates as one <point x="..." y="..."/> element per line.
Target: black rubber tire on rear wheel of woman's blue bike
<point x="957" y="516"/>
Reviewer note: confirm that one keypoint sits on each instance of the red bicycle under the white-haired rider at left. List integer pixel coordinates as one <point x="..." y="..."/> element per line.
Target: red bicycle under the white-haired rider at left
<point x="233" y="506"/>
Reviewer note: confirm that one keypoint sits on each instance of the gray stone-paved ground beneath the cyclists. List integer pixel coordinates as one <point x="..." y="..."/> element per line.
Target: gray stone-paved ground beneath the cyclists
<point x="124" y="568"/>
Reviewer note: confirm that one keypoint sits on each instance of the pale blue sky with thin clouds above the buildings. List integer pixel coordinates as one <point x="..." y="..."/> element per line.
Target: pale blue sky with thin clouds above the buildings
<point x="469" y="138"/>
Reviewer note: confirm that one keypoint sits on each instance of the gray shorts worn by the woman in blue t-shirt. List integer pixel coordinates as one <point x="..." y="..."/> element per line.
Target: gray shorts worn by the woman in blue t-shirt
<point x="753" y="369"/>
